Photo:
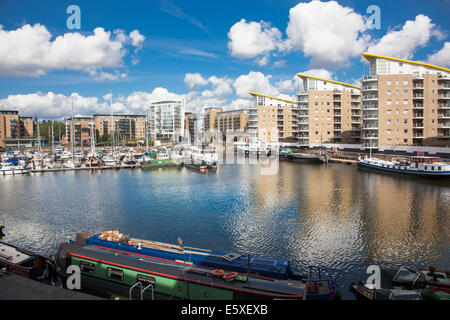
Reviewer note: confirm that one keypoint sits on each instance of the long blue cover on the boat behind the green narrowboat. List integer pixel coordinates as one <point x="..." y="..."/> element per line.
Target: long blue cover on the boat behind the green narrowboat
<point x="269" y="267"/>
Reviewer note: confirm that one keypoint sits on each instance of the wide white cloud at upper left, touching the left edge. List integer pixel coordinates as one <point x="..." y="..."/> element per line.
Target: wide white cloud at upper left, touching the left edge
<point x="31" y="51"/>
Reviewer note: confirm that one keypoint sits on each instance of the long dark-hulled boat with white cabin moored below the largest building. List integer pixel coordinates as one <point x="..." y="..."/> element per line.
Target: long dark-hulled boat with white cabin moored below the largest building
<point x="419" y="166"/>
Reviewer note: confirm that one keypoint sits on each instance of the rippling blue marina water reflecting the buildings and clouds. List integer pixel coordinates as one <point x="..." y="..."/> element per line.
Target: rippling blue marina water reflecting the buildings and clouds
<point x="333" y="215"/>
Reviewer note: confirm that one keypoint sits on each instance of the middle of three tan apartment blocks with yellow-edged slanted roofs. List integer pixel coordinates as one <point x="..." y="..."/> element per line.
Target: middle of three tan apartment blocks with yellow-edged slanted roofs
<point x="329" y="112"/>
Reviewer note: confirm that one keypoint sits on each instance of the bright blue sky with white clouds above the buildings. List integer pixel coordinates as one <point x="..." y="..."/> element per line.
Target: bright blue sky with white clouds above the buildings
<point x="192" y="37"/>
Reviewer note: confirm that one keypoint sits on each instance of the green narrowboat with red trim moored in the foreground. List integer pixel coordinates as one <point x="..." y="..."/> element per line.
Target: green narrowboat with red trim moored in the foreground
<point x="109" y="271"/>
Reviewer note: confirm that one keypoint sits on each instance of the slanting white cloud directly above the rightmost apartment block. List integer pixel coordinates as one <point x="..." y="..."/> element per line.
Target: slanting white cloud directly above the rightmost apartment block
<point x="403" y="43"/>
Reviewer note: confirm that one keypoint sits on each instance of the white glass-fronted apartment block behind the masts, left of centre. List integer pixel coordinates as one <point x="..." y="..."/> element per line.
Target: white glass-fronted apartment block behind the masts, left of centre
<point x="166" y="120"/>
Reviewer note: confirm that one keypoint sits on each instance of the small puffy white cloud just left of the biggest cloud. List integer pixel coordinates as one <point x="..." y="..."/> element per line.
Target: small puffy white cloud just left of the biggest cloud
<point x="249" y="40"/>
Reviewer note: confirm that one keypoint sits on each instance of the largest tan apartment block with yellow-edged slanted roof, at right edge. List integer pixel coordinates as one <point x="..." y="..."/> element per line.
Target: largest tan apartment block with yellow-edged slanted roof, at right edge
<point x="405" y="103"/>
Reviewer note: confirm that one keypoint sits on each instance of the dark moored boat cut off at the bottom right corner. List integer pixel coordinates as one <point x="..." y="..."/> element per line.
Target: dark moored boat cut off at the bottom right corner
<point x="405" y="283"/>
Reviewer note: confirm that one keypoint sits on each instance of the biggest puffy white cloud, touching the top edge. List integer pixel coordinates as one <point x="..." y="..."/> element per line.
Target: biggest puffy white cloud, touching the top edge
<point x="327" y="32"/>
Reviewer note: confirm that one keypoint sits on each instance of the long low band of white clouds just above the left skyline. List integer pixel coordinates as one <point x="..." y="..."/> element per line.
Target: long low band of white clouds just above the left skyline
<point x="221" y="92"/>
